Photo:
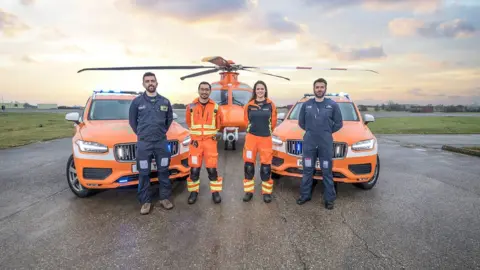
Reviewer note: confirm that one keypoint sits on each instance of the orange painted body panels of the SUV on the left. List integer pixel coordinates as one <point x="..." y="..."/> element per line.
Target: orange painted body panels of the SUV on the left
<point x="111" y="133"/>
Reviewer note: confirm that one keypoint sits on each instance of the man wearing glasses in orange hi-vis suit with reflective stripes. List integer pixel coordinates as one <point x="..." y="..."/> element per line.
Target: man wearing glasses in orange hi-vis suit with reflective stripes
<point x="204" y="121"/>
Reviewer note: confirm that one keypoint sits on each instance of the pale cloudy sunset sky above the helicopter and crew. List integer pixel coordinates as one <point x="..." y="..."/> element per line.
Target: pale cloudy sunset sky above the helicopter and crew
<point x="426" y="51"/>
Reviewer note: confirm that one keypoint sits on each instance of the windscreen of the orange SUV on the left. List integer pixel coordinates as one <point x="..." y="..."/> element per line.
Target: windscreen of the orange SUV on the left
<point x="109" y="109"/>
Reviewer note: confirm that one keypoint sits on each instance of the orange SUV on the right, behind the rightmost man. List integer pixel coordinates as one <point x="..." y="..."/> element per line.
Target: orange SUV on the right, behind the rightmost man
<point x="355" y="160"/>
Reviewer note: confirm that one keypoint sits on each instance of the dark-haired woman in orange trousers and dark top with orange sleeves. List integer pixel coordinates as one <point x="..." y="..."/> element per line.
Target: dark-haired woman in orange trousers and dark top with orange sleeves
<point x="261" y="119"/>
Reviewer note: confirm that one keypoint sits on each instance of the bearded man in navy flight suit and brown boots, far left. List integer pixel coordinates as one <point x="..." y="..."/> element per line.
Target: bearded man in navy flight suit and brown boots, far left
<point x="151" y="115"/>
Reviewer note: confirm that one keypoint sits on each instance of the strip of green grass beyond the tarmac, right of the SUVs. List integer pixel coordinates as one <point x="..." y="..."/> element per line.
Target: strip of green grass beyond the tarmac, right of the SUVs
<point x="426" y="125"/>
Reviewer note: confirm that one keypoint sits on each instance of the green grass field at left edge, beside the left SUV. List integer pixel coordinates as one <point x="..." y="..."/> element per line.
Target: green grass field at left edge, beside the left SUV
<point x="24" y="128"/>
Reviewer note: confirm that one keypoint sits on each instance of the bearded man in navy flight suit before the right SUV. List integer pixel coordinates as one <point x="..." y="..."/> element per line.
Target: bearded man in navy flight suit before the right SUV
<point x="320" y="117"/>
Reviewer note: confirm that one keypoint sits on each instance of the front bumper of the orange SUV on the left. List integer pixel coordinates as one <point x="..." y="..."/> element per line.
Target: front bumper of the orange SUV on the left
<point x="102" y="171"/>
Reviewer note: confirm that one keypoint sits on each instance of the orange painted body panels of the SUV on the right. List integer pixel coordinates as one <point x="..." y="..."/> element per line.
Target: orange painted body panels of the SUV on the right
<point x="364" y="162"/>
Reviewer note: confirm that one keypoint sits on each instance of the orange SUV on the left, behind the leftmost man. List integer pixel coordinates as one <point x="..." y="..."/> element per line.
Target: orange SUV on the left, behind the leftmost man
<point x="104" y="146"/>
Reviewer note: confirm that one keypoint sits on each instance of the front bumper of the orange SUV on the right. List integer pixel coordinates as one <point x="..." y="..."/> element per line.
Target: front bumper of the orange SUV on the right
<point x="355" y="167"/>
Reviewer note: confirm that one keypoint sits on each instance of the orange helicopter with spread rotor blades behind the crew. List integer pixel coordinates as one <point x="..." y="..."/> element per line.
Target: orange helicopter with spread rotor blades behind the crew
<point x="229" y="93"/>
